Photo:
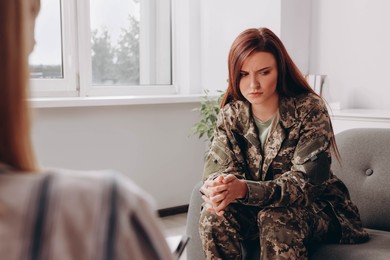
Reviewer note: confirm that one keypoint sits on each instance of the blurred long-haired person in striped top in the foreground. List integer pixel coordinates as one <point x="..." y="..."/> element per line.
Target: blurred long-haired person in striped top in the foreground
<point x="59" y="214"/>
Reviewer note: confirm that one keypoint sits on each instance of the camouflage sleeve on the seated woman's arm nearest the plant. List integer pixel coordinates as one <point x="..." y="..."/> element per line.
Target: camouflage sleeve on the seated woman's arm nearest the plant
<point x="220" y="158"/>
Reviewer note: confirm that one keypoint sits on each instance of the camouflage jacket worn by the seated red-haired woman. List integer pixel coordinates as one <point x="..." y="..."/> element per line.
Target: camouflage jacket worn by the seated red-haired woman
<point x="293" y="169"/>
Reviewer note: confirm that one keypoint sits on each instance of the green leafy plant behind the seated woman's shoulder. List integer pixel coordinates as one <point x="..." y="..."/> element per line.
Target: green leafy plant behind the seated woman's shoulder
<point x="208" y="109"/>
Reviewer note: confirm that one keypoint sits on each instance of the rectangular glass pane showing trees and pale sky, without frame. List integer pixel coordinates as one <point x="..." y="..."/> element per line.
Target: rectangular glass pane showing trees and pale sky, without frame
<point x="115" y="47"/>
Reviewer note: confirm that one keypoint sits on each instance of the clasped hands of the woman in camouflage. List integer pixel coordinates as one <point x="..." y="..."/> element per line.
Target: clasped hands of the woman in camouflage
<point x="222" y="191"/>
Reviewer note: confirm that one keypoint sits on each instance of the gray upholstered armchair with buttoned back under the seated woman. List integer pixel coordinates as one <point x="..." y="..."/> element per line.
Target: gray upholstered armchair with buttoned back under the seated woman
<point x="365" y="169"/>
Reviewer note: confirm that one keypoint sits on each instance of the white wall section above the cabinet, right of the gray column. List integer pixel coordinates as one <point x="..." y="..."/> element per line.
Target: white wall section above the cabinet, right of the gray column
<point x="350" y="42"/>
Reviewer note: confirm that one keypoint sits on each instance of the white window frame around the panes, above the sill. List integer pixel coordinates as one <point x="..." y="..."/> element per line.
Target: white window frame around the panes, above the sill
<point x="76" y="56"/>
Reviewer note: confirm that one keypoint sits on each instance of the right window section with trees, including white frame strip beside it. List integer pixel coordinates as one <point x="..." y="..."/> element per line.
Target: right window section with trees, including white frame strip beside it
<point x="126" y="47"/>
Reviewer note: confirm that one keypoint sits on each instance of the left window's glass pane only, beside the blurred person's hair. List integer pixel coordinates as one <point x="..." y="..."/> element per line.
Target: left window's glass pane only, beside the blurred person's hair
<point x="46" y="59"/>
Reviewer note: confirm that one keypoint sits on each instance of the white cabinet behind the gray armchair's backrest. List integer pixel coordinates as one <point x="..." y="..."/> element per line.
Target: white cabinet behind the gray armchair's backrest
<point x="359" y="118"/>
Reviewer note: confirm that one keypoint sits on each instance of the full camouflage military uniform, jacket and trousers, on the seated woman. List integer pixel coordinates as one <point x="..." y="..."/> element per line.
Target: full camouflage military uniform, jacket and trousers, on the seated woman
<point x="293" y="197"/>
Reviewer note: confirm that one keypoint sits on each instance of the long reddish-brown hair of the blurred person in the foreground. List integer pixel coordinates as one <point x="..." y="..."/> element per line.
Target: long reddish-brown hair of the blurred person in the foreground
<point x="15" y="141"/>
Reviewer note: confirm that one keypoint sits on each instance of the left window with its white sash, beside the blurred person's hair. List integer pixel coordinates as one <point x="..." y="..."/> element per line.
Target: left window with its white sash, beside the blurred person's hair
<point x="52" y="64"/>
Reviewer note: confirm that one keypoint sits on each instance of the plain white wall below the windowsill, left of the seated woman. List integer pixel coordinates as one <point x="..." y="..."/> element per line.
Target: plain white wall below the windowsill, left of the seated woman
<point x="149" y="143"/>
